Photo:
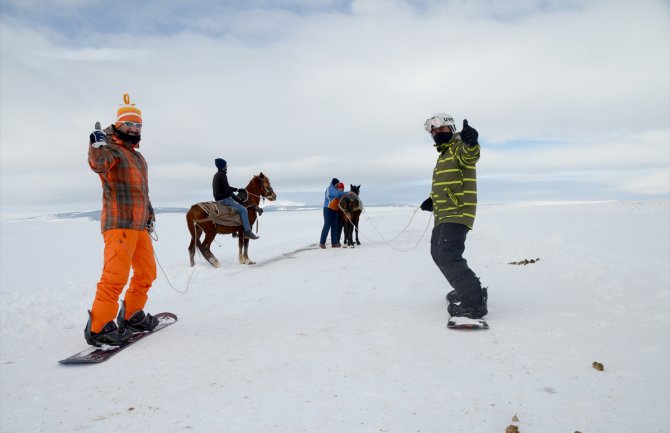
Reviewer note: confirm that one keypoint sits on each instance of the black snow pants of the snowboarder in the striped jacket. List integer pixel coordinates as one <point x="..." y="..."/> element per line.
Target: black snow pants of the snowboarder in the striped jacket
<point x="447" y="244"/>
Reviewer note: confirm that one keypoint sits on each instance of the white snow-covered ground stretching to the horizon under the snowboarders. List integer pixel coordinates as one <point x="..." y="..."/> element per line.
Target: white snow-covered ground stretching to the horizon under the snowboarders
<point x="353" y="340"/>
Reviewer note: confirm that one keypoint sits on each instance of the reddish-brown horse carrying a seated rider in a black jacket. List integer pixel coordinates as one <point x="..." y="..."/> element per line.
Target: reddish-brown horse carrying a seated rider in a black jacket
<point x="198" y="222"/>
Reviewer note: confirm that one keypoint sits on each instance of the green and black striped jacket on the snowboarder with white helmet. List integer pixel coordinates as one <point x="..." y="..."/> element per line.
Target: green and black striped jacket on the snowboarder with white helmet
<point x="454" y="190"/>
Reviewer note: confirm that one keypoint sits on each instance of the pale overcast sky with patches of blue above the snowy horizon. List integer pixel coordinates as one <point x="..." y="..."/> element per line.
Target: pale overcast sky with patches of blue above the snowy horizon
<point x="571" y="98"/>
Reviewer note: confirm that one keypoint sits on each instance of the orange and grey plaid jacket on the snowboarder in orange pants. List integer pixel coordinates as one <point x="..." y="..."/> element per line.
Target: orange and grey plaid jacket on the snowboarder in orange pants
<point x="125" y="184"/>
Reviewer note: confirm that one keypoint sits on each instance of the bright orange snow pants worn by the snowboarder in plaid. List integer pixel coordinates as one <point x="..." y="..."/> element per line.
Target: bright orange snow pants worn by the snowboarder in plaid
<point x="124" y="248"/>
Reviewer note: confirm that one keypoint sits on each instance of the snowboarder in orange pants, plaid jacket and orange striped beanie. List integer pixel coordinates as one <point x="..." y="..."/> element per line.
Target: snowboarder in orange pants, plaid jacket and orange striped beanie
<point x="127" y="219"/>
